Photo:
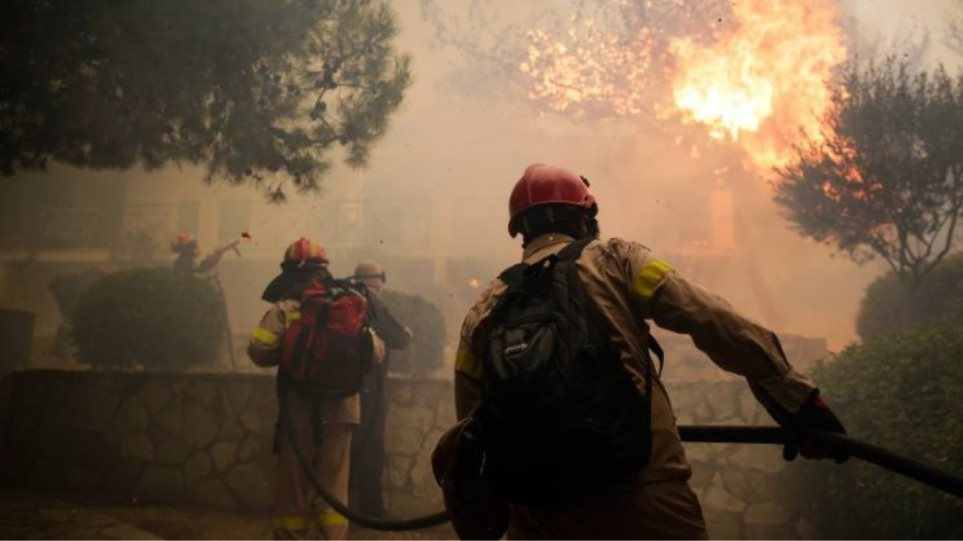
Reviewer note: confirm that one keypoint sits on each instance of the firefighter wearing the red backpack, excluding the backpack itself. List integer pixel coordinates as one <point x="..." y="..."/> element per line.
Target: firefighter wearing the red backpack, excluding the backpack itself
<point x="322" y="429"/>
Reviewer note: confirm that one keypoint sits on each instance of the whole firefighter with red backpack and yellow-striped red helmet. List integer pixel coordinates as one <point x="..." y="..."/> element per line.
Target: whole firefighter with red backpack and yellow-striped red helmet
<point x="322" y="427"/>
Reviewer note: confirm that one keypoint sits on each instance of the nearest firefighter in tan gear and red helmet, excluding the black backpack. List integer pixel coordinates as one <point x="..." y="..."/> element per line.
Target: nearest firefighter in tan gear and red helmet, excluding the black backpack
<point x="551" y="207"/>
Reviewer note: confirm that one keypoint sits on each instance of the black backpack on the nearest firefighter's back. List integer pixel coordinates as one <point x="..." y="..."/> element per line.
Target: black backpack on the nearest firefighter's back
<point x="559" y="417"/>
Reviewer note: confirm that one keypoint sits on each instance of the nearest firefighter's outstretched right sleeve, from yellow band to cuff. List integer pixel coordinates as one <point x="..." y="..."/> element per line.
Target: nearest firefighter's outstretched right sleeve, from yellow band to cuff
<point x="732" y="341"/>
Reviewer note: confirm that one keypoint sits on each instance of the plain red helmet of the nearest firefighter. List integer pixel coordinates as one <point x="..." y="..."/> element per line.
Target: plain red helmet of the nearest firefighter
<point x="544" y="184"/>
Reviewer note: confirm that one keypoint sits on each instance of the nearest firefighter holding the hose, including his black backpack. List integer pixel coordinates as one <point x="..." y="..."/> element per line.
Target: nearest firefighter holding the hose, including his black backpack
<point x="577" y="434"/>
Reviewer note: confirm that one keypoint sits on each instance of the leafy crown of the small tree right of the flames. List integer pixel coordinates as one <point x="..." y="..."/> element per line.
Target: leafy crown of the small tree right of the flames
<point x="888" y="179"/>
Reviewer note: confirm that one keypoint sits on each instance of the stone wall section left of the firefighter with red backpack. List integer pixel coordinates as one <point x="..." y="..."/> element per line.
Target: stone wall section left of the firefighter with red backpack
<point x="153" y="438"/>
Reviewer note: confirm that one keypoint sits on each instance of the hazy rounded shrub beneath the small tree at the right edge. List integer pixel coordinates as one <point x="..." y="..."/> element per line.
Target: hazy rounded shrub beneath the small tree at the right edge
<point x="893" y="307"/>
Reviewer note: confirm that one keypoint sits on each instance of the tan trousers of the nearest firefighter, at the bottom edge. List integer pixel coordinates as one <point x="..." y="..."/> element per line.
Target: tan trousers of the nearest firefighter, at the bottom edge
<point x="666" y="510"/>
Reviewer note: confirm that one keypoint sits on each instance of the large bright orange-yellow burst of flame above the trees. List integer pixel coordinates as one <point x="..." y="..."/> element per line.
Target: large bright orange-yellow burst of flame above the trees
<point x="766" y="84"/>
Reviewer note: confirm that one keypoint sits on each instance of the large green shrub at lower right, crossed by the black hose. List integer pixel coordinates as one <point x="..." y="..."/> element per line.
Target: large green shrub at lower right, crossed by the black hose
<point x="902" y="393"/>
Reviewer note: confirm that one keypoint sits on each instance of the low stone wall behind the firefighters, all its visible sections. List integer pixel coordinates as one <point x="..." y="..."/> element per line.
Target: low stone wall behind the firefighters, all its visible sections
<point x="206" y="439"/>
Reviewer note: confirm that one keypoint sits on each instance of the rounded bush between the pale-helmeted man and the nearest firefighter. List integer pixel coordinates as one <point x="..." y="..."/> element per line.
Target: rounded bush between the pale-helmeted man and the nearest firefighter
<point x="426" y="351"/>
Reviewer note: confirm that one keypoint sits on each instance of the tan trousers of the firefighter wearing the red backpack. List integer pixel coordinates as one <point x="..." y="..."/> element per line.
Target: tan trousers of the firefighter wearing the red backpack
<point x="297" y="504"/>
